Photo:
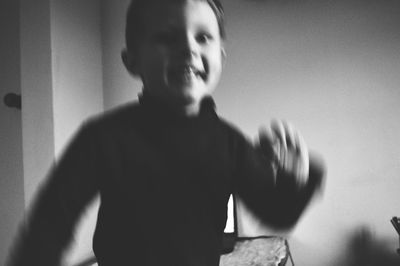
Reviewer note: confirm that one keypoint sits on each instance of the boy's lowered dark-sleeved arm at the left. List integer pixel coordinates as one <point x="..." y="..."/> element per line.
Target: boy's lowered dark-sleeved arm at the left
<point x="49" y="226"/>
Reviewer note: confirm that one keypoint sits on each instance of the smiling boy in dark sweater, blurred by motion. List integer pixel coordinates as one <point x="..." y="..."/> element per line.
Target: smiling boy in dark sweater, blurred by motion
<point x="165" y="167"/>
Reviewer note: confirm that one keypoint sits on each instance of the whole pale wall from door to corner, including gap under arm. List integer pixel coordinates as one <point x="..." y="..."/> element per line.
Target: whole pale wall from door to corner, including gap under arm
<point x="61" y="80"/>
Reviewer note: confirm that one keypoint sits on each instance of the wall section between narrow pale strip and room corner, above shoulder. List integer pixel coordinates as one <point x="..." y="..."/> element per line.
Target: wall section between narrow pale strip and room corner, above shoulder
<point x="76" y="65"/>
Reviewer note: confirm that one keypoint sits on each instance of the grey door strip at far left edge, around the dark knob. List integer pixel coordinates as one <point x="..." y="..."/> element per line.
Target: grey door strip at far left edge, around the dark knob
<point x="11" y="175"/>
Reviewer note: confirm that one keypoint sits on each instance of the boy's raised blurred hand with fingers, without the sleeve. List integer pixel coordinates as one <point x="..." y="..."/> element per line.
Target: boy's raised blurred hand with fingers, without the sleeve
<point x="286" y="148"/>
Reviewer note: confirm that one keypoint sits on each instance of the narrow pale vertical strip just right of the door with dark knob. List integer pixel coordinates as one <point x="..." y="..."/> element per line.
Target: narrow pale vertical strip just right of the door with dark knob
<point x="37" y="94"/>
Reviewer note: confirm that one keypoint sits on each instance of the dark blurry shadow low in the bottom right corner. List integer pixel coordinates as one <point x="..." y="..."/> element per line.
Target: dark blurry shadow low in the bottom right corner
<point x="365" y="250"/>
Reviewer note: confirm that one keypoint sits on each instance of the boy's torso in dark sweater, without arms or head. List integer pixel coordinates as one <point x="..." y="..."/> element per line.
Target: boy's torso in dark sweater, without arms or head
<point x="164" y="186"/>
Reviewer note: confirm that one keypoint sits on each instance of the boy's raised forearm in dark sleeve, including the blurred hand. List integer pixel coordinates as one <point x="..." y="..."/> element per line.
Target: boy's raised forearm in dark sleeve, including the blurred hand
<point x="277" y="178"/>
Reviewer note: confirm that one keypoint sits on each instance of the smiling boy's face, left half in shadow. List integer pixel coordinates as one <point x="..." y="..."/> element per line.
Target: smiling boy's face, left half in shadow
<point x="181" y="55"/>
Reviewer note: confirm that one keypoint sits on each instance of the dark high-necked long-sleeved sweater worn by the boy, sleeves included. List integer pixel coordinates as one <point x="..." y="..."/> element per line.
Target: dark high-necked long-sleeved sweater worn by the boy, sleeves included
<point x="164" y="182"/>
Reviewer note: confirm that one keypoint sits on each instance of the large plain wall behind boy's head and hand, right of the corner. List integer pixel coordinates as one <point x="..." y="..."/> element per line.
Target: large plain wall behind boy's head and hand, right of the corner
<point x="330" y="67"/>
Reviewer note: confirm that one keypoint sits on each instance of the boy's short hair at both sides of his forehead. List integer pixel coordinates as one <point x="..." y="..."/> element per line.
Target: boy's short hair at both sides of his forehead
<point x="135" y="19"/>
